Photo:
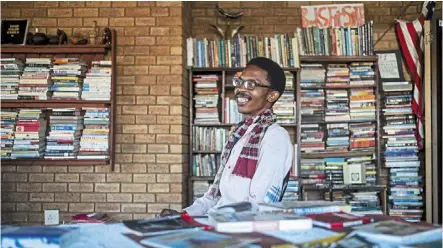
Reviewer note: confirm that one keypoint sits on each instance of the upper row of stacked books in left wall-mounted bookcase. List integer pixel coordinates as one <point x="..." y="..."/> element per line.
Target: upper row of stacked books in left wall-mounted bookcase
<point x="58" y="78"/>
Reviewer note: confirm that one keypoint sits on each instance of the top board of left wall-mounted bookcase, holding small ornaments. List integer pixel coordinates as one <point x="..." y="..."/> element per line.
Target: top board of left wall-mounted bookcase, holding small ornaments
<point x="55" y="49"/>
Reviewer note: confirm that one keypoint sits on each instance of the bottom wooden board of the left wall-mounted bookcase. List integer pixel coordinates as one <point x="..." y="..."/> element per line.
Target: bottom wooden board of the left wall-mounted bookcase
<point x="73" y="162"/>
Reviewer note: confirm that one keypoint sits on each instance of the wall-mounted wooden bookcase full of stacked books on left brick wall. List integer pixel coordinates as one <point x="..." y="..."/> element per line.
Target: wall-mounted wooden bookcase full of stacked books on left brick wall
<point x="58" y="104"/>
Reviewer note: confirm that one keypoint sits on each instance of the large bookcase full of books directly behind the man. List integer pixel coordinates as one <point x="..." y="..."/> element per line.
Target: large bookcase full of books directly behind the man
<point x="331" y="109"/>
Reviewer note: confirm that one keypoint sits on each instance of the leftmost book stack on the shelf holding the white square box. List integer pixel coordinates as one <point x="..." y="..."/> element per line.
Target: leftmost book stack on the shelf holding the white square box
<point x="312" y="171"/>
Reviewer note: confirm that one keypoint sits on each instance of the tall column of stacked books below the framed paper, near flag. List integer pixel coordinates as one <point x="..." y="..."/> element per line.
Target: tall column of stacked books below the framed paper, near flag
<point x="400" y="152"/>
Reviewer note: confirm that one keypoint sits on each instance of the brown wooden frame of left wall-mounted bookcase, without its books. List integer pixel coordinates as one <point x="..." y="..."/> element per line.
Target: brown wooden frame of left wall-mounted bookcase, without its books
<point x="86" y="53"/>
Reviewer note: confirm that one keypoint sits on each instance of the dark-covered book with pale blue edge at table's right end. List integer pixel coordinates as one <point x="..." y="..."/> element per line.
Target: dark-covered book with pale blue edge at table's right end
<point x="399" y="232"/>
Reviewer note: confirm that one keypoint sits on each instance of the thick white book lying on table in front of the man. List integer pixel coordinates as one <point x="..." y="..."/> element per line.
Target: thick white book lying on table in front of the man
<point x="260" y="221"/>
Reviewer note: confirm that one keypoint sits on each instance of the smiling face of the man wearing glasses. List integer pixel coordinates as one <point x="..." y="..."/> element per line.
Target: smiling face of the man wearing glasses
<point x="253" y="102"/>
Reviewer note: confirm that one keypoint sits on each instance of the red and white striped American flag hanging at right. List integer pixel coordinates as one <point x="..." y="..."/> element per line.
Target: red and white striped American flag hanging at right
<point x="411" y="38"/>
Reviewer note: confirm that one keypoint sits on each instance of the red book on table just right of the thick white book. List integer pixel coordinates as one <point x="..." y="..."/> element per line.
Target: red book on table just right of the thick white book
<point x="338" y="220"/>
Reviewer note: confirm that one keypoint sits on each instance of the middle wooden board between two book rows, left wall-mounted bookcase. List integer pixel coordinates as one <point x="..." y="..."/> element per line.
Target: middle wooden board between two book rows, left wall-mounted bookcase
<point x="52" y="103"/>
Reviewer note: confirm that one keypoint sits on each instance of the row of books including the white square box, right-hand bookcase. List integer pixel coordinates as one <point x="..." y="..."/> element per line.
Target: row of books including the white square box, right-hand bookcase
<point x="338" y="171"/>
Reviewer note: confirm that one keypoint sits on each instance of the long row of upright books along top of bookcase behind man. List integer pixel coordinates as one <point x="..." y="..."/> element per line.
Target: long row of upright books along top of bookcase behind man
<point x="284" y="49"/>
